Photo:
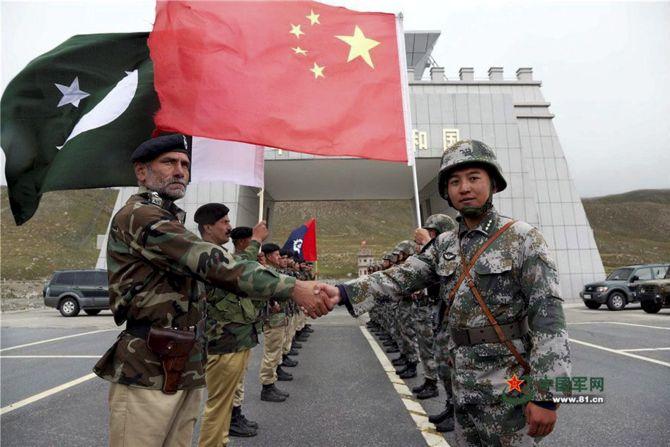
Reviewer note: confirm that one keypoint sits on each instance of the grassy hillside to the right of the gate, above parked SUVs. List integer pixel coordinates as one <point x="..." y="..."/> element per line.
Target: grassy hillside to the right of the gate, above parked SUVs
<point x="631" y="228"/>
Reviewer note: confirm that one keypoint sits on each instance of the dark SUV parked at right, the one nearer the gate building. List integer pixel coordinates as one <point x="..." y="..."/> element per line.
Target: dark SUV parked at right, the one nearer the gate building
<point x="620" y="286"/>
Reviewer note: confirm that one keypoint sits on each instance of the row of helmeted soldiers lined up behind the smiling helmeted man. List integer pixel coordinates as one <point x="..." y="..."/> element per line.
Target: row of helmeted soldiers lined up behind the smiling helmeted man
<point x="408" y="326"/>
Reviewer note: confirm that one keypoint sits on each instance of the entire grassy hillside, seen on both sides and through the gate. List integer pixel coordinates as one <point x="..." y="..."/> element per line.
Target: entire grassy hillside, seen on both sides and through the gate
<point x="629" y="228"/>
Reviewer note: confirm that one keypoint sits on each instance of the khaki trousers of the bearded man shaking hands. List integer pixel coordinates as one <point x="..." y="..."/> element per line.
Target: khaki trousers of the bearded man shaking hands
<point x="151" y="418"/>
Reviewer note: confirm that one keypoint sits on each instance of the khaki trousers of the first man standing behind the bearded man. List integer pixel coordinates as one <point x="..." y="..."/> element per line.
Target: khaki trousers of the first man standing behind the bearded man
<point x="223" y="373"/>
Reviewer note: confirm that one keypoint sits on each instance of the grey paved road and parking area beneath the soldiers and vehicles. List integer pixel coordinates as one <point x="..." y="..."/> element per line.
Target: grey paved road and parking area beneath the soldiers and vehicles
<point x="341" y="394"/>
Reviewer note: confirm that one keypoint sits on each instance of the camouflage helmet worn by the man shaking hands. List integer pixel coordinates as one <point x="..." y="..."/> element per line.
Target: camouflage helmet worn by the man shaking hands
<point x="467" y="152"/>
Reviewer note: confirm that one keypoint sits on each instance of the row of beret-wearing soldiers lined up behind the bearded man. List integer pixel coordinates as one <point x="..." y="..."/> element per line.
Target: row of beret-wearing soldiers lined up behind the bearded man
<point x="232" y="329"/>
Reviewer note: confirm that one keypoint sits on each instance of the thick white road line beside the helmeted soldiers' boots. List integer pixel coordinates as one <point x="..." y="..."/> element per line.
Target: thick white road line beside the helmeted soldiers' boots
<point x="416" y="411"/>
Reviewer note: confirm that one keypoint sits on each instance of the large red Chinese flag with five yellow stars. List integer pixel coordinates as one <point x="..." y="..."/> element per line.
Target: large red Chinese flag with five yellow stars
<point x="301" y="76"/>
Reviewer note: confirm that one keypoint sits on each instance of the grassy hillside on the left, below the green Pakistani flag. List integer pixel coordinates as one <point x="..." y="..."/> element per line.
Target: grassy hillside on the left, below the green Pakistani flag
<point x="61" y="235"/>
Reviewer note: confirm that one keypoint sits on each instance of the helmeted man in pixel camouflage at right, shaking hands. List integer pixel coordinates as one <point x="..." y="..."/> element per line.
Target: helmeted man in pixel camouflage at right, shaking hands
<point x="505" y="318"/>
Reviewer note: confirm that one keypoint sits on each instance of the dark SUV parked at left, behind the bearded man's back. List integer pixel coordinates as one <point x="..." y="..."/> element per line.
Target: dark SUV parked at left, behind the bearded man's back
<point x="70" y="291"/>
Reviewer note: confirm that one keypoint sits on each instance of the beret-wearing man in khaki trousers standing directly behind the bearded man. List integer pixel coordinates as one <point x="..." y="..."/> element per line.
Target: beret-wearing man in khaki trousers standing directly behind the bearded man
<point x="230" y="328"/>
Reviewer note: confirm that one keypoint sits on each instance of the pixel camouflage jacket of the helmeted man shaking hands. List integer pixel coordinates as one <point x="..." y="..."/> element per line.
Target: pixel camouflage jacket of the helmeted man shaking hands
<point x="516" y="277"/>
